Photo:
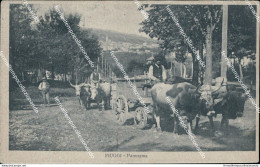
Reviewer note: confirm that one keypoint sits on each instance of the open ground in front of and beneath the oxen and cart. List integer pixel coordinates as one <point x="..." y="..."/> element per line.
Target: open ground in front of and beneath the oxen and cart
<point x="49" y="129"/>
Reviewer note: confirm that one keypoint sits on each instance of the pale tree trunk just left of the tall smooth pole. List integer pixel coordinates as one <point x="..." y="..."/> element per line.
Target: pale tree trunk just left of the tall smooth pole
<point x="208" y="74"/>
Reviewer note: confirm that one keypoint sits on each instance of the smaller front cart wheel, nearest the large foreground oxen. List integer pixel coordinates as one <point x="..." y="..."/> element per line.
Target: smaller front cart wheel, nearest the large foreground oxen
<point x="140" y="118"/>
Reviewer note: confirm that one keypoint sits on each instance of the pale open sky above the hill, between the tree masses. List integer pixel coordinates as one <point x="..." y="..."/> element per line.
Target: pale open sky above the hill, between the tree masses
<point x="121" y="17"/>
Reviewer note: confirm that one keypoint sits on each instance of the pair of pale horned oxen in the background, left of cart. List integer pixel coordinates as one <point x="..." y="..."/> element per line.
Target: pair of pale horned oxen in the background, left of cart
<point x="89" y="93"/>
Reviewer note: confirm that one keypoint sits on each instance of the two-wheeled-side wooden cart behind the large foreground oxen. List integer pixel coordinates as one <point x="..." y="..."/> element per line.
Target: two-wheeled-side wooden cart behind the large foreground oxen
<point x="127" y="106"/>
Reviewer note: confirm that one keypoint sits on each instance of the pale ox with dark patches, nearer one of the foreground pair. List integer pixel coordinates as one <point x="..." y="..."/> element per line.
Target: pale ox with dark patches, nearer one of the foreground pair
<point x="186" y="98"/>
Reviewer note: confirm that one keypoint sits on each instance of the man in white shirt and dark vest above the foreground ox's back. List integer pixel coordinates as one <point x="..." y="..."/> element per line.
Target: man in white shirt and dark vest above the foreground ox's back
<point x="157" y="72"/>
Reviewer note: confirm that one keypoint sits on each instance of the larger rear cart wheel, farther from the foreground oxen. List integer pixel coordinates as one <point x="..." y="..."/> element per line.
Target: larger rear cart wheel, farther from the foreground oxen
<point x="121" y="109"/>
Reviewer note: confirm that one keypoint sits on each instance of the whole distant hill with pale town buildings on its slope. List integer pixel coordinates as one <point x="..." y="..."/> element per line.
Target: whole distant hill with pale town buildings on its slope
<point x="127" y="48"/>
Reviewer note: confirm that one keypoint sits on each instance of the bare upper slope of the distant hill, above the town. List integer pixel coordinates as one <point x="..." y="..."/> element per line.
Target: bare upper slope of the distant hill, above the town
<point x="120" y="37"/>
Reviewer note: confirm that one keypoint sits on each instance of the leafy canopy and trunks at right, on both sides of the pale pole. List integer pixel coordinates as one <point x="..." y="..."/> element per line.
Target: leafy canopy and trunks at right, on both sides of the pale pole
<point x="202" y="25"/>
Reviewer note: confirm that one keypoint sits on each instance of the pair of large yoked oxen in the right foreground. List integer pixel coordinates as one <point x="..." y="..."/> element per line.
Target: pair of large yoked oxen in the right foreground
<point x="191" y="102"/>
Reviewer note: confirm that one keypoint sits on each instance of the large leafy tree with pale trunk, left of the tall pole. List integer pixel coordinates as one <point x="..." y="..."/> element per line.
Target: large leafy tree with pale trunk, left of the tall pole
<point x="198" y="23"/>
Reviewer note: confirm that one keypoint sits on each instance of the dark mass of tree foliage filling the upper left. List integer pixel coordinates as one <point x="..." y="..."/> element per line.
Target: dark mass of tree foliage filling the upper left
<point x="49" y="45"/>
